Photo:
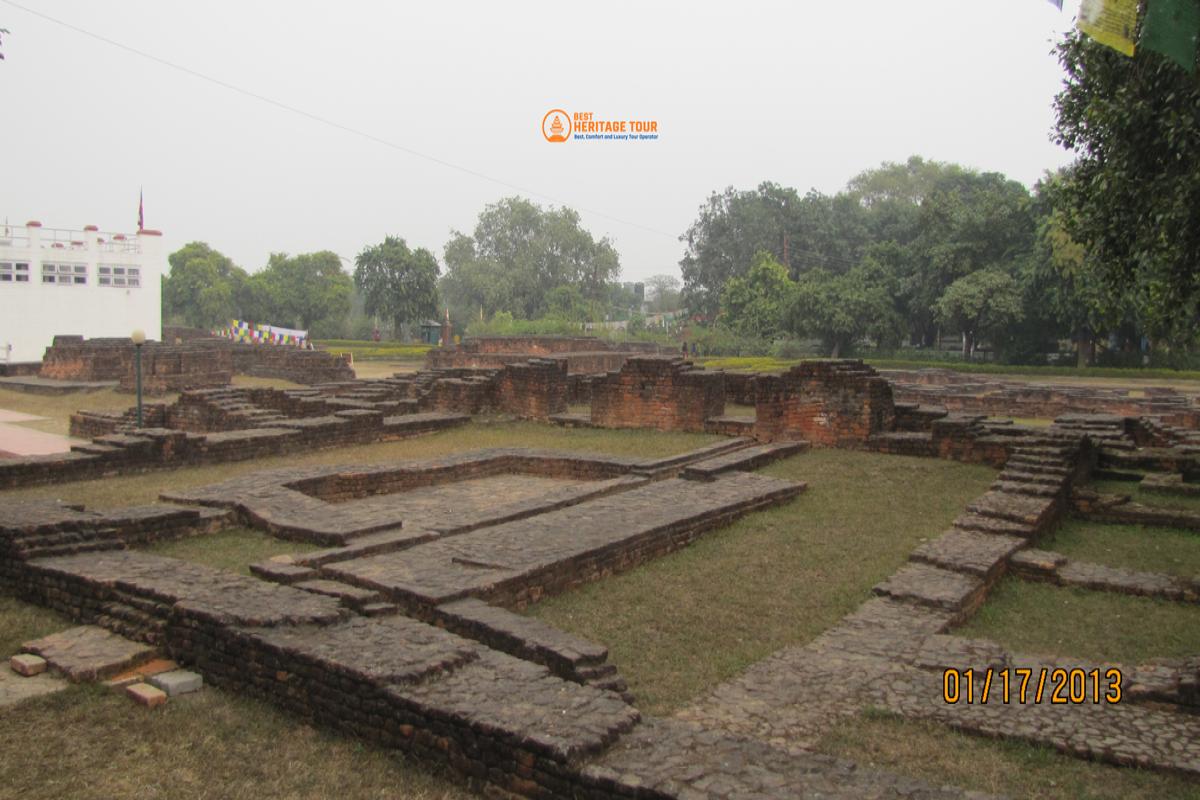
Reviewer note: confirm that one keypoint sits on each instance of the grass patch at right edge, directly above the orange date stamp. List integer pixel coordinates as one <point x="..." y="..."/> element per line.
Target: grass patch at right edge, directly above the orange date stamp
<point x="1136" y="548"/>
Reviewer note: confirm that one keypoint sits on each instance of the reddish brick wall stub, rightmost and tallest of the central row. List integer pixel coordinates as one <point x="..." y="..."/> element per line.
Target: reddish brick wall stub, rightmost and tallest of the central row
<point x="831" y="404"/>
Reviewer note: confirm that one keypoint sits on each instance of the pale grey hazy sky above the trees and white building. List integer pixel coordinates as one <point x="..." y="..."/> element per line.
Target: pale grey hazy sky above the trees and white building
<point x="805" y="94"/>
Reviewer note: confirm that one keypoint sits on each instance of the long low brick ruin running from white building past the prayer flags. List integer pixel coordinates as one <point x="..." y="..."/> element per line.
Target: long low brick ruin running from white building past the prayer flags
<point x="196" y="364"/>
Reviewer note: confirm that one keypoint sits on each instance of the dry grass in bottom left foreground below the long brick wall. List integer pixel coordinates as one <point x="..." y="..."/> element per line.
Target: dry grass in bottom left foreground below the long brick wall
<point x="91" y="742"/>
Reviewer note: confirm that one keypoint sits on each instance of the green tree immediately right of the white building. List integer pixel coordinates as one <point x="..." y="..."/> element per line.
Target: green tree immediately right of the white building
<point x="205" y="287"/>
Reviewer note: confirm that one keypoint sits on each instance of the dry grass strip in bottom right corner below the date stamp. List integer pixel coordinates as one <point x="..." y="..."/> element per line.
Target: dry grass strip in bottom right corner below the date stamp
<point x="1009" y="768"/>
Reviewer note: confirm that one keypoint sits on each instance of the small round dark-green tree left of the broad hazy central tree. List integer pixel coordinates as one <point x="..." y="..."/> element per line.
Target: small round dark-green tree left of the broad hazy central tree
<point x="398" y="282"/>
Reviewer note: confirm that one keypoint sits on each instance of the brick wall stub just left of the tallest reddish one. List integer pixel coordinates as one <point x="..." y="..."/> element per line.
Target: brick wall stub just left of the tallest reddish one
<point x="662" y="393"/>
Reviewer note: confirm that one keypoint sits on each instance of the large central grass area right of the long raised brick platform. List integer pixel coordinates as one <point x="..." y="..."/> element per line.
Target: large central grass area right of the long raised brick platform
<point x="682" y="624"/>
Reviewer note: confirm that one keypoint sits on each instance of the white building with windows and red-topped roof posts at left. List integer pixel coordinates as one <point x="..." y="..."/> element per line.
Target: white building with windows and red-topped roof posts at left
<point x="85" y="282"/>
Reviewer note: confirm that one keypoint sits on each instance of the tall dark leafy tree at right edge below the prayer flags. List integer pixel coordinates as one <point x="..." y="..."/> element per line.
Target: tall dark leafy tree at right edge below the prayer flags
<point x="1131" y="199"/>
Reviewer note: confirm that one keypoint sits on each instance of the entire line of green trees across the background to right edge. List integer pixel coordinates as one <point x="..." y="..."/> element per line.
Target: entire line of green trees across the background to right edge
<point x="1103" y="251"/>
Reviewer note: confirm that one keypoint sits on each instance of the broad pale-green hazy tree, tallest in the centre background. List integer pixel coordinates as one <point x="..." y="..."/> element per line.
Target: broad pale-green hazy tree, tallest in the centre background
<point x="519" y="254"/>
